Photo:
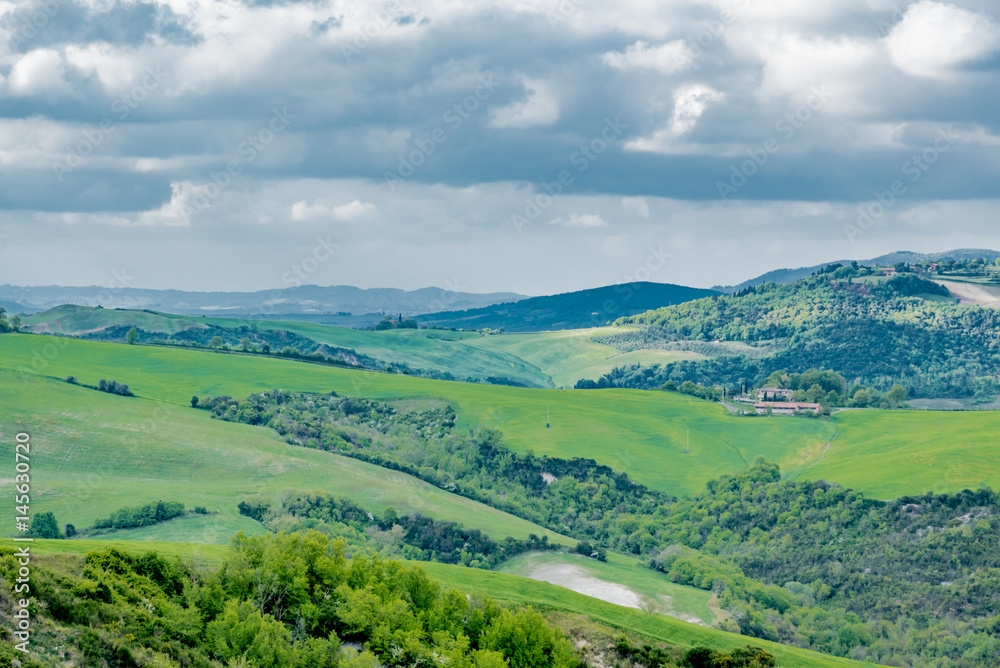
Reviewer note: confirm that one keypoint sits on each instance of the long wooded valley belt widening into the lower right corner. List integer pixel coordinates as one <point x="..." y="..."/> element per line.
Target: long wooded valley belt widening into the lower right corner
<point x="911" y="582"/>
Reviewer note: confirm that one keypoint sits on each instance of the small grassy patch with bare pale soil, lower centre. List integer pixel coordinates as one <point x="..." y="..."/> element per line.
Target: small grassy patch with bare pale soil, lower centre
<point x="650" y="586"/>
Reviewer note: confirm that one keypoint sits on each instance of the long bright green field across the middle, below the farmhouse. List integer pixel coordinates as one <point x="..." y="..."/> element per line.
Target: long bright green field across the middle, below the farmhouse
<point x="883" y="453"/>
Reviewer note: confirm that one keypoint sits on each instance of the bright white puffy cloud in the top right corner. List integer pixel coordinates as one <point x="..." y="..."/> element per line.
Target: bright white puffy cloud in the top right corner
<point x="933" y="39"/>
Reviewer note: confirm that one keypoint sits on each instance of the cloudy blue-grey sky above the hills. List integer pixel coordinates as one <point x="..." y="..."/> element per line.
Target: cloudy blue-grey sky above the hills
<point x="507" y="145"/>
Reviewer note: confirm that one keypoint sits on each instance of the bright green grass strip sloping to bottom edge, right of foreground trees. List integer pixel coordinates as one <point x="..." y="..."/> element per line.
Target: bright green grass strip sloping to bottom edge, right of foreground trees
<point x="517" y="590"/>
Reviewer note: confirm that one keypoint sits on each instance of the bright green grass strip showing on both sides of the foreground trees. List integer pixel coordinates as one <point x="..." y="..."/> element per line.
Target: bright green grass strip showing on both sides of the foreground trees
<point x="509" y="589"/>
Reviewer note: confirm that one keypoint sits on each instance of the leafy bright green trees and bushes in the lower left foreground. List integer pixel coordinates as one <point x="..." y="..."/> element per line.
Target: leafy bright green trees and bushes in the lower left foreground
<point x="277" y="601"/>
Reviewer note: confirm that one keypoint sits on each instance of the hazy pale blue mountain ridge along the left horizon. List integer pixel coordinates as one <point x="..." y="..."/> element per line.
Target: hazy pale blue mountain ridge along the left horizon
<point x="301" y="300"/>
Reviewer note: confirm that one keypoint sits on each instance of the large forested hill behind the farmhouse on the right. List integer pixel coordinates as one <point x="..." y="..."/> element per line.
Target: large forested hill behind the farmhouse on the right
<point x="876" y="334"/>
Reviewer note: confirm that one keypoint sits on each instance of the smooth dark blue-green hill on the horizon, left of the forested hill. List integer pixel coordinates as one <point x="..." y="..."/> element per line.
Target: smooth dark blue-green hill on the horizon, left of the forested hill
<point x="570" y="310"/>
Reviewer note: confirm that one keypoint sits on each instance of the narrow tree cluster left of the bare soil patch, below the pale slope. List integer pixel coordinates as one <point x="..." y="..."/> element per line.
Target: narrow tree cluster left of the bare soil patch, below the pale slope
<point x="411" y="536"/>
